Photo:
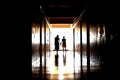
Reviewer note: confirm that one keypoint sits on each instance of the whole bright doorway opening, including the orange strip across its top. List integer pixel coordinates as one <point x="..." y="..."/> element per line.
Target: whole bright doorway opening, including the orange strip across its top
<point x="62" y="30"/>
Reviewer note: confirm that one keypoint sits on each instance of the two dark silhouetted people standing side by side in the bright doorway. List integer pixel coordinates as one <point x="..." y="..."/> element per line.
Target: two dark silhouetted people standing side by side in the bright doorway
<point x="57" y="43"/>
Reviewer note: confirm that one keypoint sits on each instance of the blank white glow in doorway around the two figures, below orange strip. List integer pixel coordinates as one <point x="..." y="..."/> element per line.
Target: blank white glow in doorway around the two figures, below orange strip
<point x="67" y="32"/>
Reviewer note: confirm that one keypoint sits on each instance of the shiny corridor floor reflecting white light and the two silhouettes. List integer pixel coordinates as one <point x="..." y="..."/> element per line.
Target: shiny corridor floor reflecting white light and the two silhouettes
<point x="64" y="66"/>
